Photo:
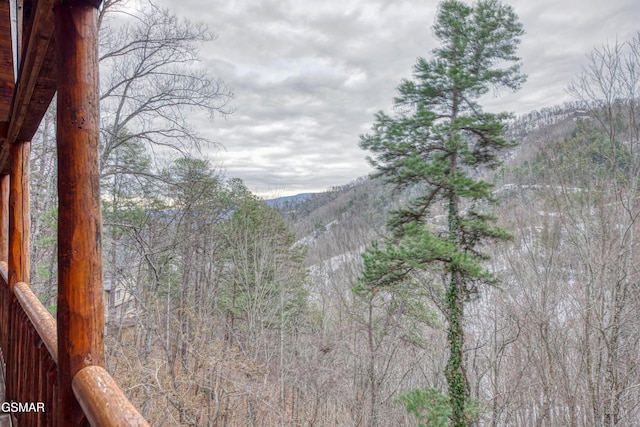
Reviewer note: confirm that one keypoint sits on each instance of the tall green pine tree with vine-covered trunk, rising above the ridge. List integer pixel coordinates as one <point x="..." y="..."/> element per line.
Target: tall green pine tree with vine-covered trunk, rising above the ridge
<point x="437" y="140"/>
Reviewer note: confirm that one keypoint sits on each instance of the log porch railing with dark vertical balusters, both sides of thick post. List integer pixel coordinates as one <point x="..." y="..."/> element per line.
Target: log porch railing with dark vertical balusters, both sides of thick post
<point x="31" y="355"/>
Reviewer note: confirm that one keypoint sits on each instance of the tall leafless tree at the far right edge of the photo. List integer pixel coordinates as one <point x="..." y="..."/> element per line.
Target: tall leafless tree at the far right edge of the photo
<point x="610" y="87"/>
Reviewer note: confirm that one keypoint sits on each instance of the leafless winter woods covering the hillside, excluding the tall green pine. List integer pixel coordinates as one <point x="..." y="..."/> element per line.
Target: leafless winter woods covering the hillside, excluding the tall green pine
<point x="226" y="312"/>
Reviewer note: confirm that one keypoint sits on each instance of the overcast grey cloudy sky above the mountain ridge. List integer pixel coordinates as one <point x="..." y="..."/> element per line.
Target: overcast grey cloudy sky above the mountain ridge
<point x="309" y="76"/>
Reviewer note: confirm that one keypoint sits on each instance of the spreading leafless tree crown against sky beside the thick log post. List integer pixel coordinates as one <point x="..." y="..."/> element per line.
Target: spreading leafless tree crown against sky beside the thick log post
<point x="152" y="85"/>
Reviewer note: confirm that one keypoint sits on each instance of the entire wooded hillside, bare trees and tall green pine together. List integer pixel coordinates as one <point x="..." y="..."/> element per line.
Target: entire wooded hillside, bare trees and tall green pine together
<point x="484" y="275"/>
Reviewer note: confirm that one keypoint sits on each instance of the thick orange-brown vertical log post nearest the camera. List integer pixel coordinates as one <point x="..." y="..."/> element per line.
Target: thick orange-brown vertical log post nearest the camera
<point x="80" y="287"/>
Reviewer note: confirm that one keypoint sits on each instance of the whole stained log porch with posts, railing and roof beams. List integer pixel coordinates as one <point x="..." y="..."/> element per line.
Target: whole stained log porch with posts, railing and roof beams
<point x="49" y="46"/>
